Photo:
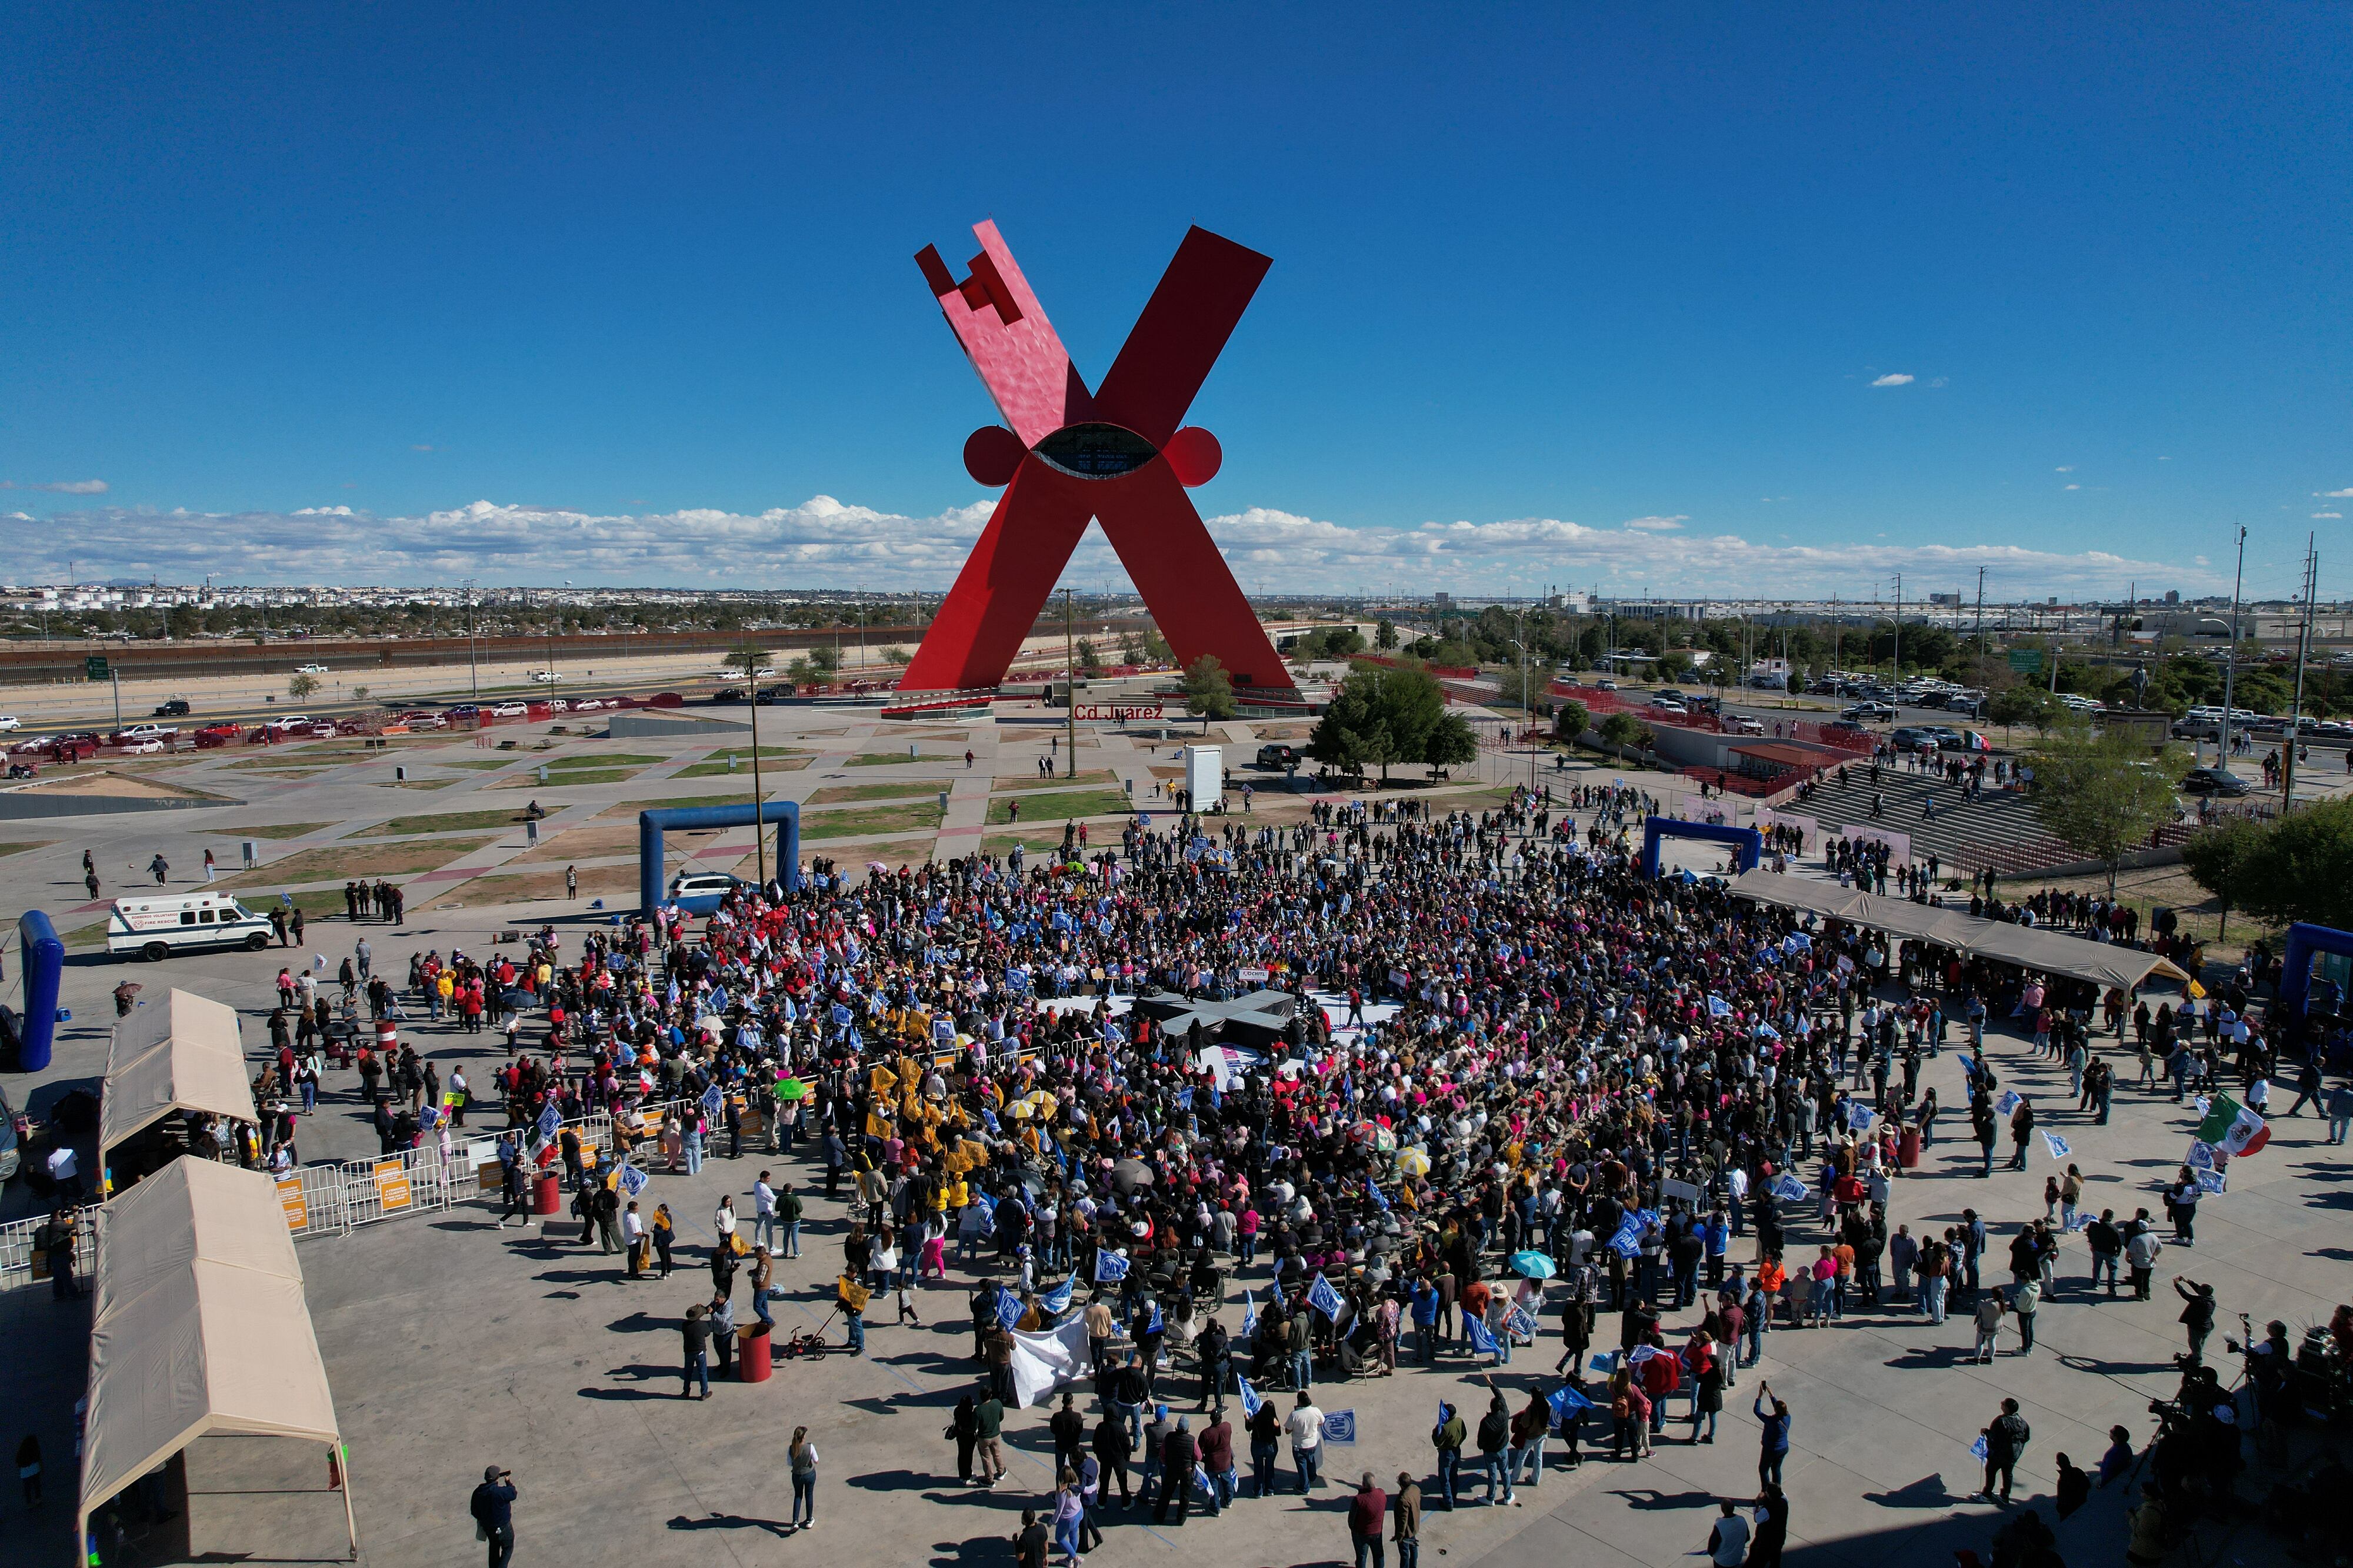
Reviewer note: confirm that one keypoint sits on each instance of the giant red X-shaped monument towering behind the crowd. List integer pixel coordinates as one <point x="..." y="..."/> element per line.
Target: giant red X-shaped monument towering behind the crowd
<point x="1119" y="456"/>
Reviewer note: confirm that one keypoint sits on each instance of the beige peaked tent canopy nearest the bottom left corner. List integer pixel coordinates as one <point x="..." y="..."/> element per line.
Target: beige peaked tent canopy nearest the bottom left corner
<point x="199" y="1327"/>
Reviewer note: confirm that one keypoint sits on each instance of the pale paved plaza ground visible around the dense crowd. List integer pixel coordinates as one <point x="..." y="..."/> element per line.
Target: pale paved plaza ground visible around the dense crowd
<point x="453" y="1343"/>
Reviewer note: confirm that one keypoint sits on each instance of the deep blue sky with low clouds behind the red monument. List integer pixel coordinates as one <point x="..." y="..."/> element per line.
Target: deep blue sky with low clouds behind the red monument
<point x="627" y="295"/>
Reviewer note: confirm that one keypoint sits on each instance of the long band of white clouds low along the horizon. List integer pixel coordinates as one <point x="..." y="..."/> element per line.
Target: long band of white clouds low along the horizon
<point x="832" y="545"/>
